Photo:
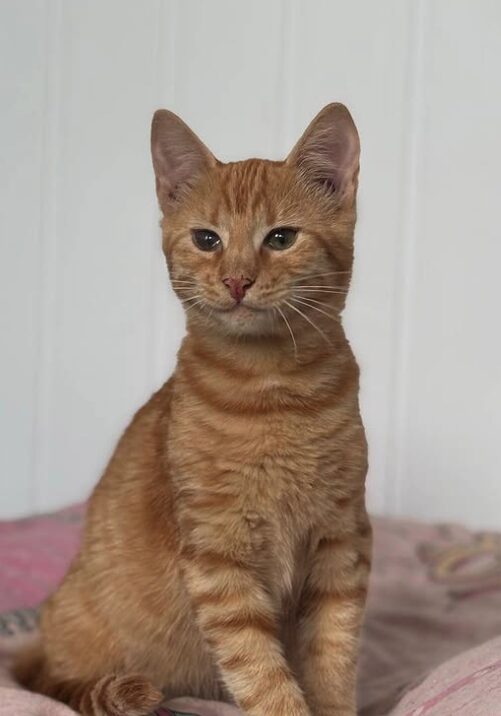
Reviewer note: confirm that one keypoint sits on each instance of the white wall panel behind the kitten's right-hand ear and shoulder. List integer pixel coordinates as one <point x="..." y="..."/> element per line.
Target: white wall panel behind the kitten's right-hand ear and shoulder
<point x="357" y="53"/>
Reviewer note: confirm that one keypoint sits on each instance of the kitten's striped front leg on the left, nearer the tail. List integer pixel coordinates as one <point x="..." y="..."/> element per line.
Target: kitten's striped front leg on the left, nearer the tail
<point x="237" y="618"/>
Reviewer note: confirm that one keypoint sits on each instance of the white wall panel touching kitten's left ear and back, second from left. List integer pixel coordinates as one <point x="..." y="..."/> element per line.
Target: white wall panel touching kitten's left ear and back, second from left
<point x="99" y="366"/>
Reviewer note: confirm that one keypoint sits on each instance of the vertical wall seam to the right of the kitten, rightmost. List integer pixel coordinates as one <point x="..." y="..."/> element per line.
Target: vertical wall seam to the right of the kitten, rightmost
<point x="405" y="265"/>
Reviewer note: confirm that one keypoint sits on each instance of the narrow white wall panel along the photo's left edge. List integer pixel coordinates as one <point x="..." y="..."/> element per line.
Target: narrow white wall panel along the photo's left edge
<point x="22" y="91"/>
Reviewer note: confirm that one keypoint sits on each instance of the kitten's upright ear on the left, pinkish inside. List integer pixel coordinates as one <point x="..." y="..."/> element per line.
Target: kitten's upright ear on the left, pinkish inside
<point x="179" y="158"/>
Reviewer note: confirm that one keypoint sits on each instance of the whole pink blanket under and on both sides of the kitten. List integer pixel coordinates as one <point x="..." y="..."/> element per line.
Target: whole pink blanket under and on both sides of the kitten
<point x="435" y="594"/>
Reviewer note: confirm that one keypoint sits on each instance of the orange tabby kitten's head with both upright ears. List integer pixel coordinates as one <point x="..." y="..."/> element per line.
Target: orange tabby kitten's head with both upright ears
<point x="259" y="247"/>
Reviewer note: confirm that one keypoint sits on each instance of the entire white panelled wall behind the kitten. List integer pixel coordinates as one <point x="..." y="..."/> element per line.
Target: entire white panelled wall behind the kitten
<point x="88" y="324"/>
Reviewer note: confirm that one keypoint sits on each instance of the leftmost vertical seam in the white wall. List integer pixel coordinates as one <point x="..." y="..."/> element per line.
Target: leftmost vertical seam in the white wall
<point x="47" y="250"/>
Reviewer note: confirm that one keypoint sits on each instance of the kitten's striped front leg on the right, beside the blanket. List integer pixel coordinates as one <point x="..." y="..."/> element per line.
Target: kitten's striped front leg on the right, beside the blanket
<point x="330" y="618"/>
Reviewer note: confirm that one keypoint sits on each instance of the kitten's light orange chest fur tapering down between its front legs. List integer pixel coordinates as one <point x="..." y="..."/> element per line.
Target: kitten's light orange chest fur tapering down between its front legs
<point x="263" y="480"/>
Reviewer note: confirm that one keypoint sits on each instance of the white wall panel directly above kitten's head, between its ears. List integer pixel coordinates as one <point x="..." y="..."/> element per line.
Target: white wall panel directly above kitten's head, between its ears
<point x="220" y="69"/>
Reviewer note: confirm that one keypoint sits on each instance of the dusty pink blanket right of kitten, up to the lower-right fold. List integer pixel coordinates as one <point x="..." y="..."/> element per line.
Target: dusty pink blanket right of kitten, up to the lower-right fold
<point x="435" y="592"/>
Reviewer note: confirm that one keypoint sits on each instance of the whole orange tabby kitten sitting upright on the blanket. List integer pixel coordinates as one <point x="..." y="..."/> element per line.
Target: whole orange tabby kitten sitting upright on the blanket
<point x="227" y="547"/>
